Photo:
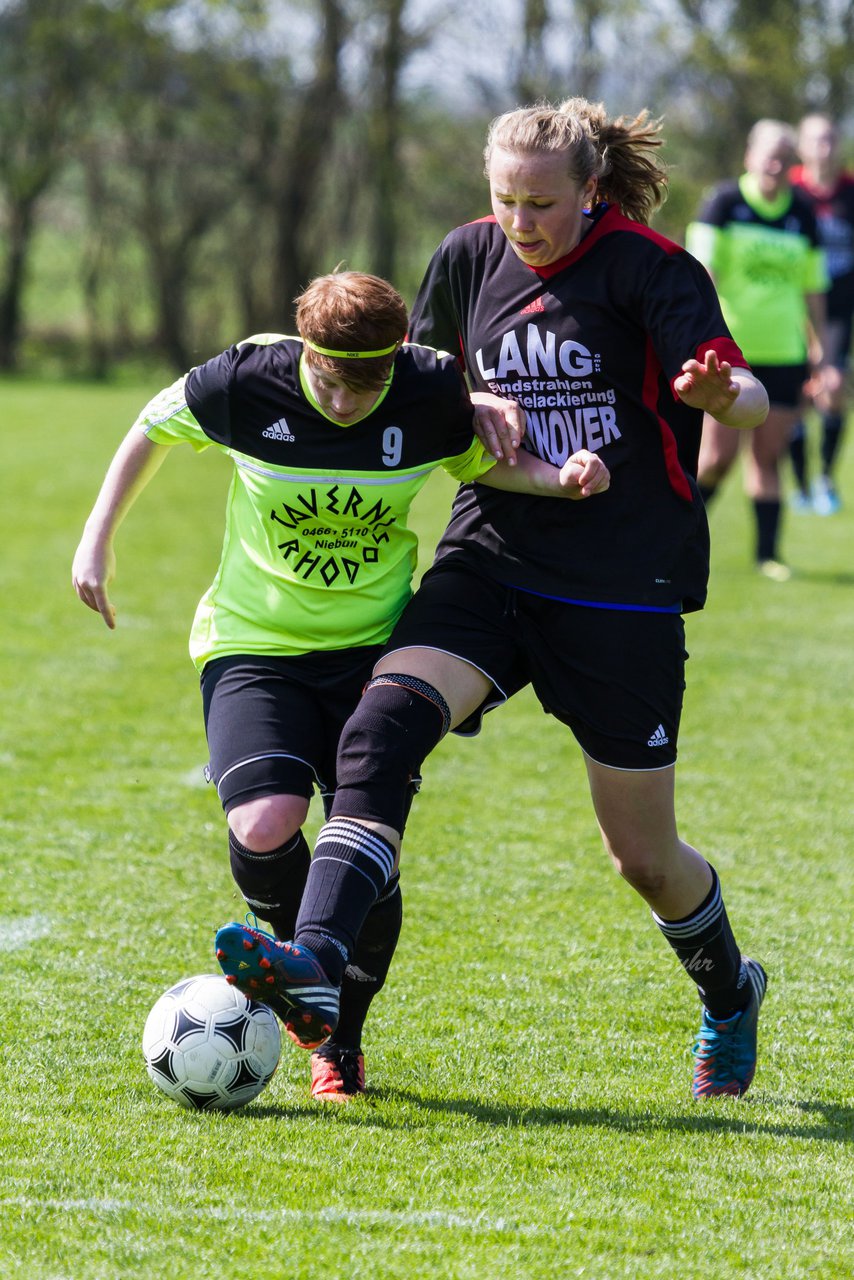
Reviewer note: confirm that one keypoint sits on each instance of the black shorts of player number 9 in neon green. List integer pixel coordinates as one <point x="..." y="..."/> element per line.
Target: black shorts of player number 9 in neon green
<point x="273" y="723"/>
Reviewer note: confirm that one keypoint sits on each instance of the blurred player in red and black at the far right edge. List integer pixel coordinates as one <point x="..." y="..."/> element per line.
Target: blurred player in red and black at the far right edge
<point x="823" y="179"/>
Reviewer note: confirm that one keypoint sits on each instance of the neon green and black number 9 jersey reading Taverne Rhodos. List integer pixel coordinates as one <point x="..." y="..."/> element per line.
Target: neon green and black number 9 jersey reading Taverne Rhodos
<point x="317" y="552"/>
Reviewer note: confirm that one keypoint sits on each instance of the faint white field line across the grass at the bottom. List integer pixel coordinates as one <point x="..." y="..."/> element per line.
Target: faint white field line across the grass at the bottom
<point x="107" y="1208"/>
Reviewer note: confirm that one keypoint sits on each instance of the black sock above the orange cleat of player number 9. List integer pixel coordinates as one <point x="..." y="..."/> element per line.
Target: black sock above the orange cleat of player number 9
<point x="372" y="961"/>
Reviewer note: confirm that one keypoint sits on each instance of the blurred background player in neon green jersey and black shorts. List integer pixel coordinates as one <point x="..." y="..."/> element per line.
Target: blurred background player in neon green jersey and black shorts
<point x="760" y="241"/>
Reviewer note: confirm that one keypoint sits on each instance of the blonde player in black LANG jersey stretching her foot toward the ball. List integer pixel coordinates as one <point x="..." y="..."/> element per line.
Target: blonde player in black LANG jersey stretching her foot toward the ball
<point x="610" y="336"/>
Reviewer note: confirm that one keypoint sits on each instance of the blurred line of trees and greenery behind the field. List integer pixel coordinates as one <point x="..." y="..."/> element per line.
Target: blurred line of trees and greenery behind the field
<point x="179" y="170"/>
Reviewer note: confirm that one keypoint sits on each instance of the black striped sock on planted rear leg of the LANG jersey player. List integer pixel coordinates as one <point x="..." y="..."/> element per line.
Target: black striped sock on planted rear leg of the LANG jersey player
<point x="707" y="950"/>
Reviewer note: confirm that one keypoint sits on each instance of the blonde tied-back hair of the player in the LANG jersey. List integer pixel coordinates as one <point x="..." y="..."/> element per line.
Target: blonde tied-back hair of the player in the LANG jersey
<point x="622" y="153"/>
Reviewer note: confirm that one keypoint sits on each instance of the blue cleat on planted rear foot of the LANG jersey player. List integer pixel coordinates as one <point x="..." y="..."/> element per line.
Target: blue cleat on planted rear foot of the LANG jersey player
<point x="725" y="1052"/>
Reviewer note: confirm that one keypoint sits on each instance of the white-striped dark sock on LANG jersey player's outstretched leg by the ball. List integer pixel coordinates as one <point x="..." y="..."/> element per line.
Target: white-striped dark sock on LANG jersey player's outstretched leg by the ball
<point x="350" y="870"/>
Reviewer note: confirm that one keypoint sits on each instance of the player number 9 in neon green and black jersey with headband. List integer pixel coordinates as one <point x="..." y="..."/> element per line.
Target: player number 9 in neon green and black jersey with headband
<point x="331" y="437"/>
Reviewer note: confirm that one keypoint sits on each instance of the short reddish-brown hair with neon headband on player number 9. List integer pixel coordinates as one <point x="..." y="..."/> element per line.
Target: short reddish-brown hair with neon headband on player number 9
<point x="350" y="312"/>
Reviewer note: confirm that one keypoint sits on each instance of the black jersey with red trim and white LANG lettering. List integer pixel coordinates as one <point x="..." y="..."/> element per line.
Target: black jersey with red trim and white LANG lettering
<point x="591" y="346"/>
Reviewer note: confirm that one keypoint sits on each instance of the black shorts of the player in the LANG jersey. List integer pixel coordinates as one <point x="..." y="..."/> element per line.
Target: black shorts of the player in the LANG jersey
<point x="616" y="678"/>
